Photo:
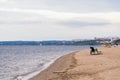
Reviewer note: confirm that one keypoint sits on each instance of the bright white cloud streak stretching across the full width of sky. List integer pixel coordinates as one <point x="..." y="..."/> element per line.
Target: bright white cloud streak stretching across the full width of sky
<point x="110" y="16"/>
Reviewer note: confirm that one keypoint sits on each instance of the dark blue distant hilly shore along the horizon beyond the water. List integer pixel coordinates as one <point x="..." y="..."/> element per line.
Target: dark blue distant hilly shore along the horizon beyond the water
<point x="52" y="42"/>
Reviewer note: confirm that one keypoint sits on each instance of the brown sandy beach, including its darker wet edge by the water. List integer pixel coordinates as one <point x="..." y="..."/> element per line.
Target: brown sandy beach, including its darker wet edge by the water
<point x="83" y="66"/>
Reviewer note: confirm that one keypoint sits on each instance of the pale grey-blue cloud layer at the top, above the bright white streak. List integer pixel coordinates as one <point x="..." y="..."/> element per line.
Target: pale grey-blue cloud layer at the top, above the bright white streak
<point x="67" y="5"/>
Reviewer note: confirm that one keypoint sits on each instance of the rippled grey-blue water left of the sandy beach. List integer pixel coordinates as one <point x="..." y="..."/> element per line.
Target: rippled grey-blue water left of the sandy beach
<point x="19" y="60"/>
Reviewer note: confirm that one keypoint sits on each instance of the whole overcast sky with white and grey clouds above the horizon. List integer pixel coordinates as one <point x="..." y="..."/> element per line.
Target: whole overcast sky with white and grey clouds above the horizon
<point x="58" y="19"/>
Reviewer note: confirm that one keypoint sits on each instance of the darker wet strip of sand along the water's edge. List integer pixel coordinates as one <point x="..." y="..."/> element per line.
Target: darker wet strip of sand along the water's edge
<point x="56" y="68"/>
